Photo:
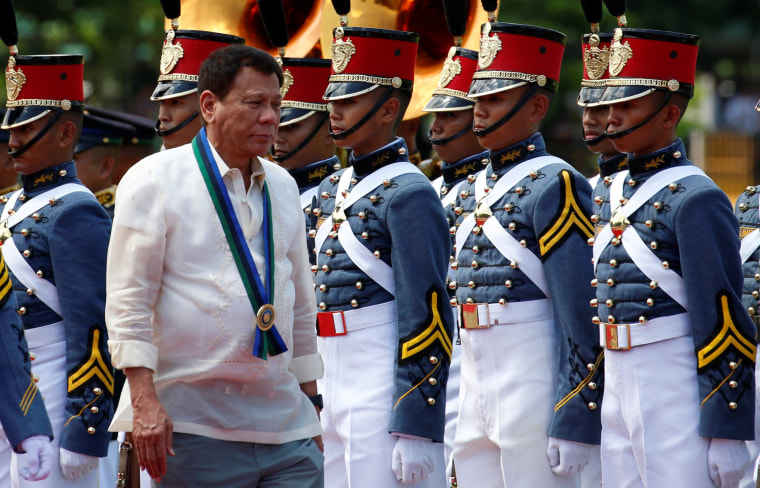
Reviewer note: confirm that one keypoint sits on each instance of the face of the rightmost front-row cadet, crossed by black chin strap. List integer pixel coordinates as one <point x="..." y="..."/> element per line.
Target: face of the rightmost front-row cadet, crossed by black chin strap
<point x="646" y="139"/>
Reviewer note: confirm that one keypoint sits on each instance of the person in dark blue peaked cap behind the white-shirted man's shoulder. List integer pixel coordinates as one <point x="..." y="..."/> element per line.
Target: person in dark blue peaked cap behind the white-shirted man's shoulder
<point x="96" y="154"/>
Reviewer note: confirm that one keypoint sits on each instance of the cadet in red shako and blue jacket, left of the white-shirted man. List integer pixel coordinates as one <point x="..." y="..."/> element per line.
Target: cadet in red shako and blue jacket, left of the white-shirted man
<point x="55" y="238"/>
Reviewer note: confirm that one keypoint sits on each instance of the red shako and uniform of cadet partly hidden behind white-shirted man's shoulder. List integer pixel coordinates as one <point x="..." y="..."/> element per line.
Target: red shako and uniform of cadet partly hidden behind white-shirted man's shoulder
<point x="305" y="83"/>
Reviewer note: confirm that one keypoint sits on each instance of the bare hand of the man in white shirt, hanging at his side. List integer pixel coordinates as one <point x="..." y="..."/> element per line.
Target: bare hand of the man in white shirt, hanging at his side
<point x="151" y="425"/>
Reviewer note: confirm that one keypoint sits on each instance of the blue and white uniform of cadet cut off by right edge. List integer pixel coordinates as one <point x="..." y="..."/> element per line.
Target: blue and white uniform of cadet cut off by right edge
<point x="747" y="211"/>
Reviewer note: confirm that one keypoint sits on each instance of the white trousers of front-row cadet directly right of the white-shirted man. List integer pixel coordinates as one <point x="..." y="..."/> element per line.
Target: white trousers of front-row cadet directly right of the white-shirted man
<point x="358" y="390"/>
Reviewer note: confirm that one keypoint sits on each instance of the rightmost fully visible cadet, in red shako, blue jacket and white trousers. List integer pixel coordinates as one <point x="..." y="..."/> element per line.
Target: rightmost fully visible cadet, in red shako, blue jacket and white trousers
<point x="680" y="346"/>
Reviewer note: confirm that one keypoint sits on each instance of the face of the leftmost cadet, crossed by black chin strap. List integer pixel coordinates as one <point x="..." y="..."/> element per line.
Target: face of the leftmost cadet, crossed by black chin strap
<point x="37" y="157"/>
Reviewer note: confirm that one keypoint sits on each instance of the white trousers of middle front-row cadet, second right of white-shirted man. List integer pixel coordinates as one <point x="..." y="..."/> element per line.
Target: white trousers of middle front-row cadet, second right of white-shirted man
<point x="506" y="404"/>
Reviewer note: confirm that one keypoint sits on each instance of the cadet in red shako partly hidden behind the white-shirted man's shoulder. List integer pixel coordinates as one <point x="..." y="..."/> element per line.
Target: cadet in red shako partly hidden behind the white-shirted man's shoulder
<point x="303" y="144"/>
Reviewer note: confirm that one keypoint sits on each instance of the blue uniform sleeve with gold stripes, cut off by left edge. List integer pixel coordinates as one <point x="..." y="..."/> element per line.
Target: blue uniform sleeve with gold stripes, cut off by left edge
<point x="22" y="411"/>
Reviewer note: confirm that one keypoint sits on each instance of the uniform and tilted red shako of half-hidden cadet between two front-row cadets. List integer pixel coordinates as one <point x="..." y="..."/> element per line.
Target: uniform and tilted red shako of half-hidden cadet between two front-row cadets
<point x="451" y="95"/>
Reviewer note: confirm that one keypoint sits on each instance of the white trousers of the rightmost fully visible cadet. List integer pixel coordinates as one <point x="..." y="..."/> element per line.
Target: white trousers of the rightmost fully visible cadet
<point x="650" y="418"/>
